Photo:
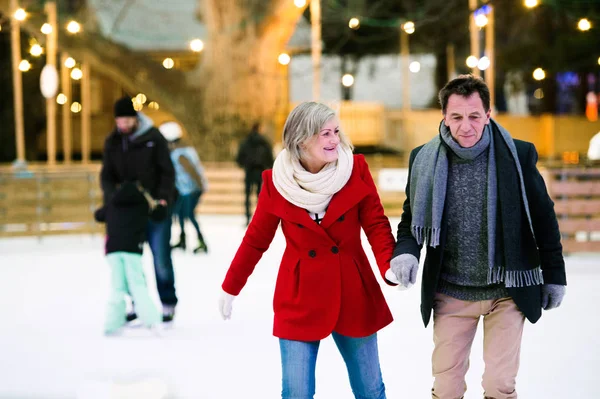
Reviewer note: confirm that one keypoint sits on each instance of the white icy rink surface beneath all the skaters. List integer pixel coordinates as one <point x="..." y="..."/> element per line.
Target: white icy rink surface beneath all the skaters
<point x="53" y="294"/>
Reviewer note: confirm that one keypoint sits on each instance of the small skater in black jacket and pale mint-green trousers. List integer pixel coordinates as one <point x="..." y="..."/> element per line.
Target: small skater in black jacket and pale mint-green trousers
<point x="126" y="218"/>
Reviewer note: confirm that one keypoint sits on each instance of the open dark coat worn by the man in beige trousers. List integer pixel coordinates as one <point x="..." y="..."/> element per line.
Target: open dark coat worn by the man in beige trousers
<point x="544" y="249"/>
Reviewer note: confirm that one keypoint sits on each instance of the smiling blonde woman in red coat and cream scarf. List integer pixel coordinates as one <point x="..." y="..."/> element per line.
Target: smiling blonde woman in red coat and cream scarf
<point x="322" y="195"/>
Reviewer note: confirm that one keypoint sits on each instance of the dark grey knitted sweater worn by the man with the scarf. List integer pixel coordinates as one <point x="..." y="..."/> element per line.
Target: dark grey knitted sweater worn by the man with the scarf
<point x="465" y="261"/>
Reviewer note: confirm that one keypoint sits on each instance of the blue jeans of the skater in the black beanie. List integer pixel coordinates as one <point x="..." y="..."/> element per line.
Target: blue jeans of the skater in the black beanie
<point x="159" y="237"/>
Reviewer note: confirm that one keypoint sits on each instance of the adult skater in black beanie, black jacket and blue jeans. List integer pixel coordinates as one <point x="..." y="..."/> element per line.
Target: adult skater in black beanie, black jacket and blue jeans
<point x="137" y="151"/>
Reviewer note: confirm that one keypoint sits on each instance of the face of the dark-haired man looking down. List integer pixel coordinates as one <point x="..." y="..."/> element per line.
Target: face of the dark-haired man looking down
<point x="466" y="118"/>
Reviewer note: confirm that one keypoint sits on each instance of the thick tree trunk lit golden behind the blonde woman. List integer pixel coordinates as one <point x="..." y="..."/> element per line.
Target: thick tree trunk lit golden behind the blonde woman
<point x="241" y="79"/>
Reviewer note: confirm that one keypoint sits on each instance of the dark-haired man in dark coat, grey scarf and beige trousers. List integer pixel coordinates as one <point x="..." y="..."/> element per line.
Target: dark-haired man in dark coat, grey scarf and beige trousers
<point x="477" y="201"/>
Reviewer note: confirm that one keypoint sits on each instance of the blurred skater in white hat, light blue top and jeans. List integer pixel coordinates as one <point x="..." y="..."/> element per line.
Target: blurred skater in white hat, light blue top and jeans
<point x="190" y="181"/>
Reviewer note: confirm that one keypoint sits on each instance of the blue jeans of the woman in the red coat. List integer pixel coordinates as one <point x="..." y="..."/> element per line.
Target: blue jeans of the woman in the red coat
<point x="299" y="358"/>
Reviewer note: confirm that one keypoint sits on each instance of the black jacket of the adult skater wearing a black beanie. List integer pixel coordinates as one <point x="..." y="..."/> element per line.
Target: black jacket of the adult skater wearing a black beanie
<point x="142" y="156"/>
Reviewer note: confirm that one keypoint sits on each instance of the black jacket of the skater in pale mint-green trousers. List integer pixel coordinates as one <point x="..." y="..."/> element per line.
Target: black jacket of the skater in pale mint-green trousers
<point x="126" y="218"/>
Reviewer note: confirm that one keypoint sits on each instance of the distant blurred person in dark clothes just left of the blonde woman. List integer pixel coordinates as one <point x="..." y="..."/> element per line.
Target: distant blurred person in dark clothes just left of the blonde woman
<point x="255" y="154"/>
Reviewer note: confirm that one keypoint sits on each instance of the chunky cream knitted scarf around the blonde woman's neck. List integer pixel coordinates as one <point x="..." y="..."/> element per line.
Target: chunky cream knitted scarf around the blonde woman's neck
<point x="311" y="191"/>
